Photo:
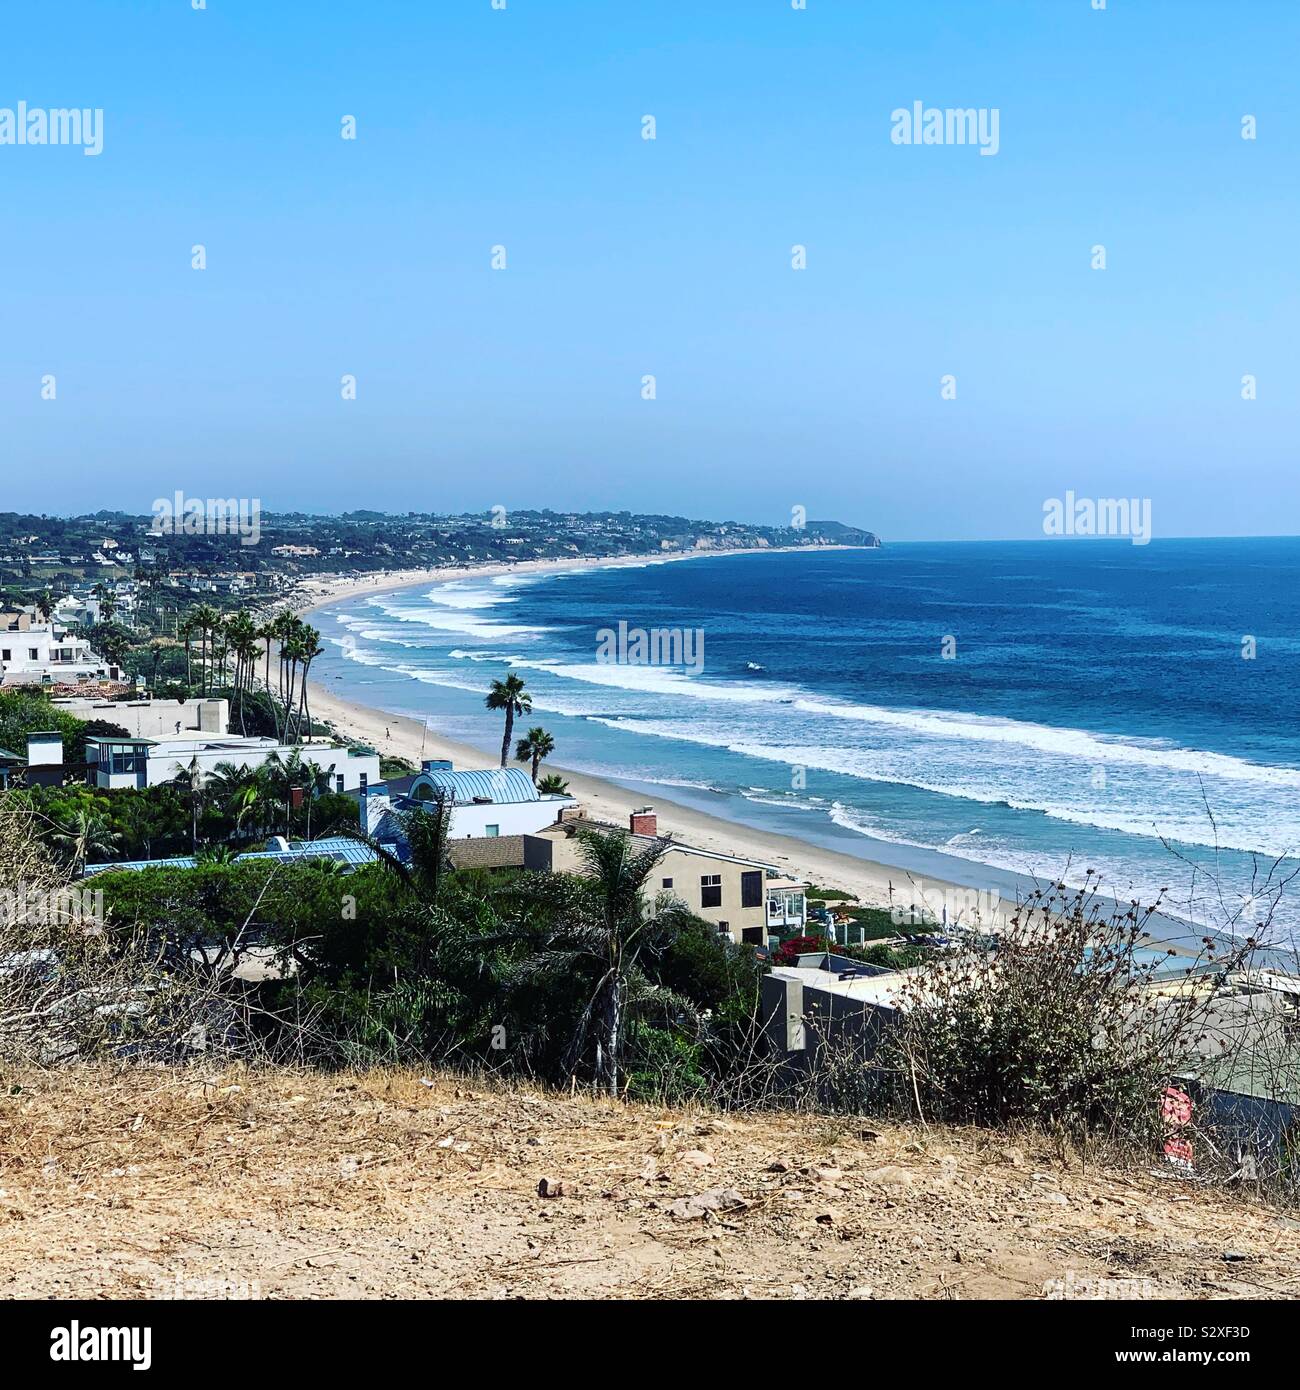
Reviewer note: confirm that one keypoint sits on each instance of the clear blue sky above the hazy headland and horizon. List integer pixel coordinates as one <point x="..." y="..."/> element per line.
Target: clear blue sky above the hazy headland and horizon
<point x="479" y="127"/>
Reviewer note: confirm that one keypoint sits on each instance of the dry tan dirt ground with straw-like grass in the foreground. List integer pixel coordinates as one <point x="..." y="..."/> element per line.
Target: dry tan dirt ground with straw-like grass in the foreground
<point x="280" y="1185"/>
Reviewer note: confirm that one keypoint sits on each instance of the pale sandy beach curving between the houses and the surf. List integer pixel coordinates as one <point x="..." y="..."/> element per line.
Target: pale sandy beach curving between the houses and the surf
<point x="871" y="883"/>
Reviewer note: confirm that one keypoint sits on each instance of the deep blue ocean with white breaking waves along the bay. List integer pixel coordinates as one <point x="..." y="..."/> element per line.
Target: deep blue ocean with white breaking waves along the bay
<point x="1042" y="708"/>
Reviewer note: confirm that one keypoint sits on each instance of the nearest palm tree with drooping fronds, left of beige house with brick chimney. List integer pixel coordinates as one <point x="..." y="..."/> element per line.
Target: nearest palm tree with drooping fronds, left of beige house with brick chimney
<point x="604" y="946"/>
